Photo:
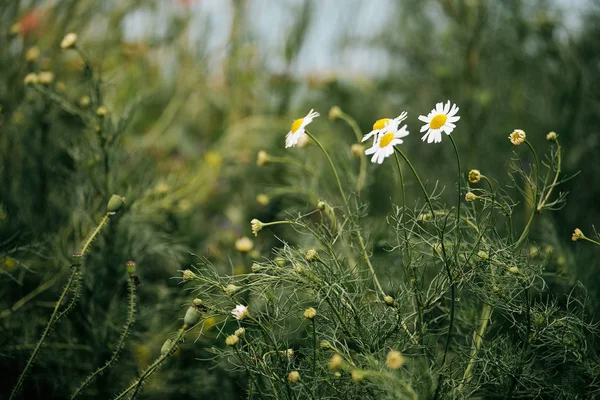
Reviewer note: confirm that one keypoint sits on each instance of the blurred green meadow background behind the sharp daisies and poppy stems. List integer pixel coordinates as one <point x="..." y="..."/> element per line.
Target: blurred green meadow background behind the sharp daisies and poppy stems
<point x="194" y="90"/>
